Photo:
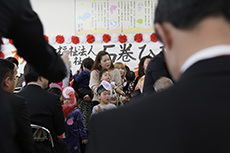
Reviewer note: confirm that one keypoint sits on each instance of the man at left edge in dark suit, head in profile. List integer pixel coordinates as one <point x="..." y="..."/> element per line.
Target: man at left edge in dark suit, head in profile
<point x="23" y="133"/>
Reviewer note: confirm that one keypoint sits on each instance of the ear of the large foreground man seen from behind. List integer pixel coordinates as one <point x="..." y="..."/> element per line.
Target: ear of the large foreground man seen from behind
<point x="165" y="35"/>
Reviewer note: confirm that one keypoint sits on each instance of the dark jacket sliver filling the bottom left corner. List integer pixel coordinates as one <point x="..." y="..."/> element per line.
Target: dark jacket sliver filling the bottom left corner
<point x="7" y="128"/>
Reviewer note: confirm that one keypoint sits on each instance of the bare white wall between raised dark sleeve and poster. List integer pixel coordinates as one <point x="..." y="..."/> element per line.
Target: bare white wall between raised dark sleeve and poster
<point x="57" y="16"/>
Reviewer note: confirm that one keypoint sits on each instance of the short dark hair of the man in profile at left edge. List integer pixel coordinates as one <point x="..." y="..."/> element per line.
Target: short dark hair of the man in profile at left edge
<point x="6" y="69"/>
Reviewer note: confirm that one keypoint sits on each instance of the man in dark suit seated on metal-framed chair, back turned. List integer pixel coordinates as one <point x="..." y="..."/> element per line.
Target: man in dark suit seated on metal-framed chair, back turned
<point x="44" y="108"/>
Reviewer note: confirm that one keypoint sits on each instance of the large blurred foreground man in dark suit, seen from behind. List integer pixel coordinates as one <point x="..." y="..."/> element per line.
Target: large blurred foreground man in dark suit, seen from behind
<point x="193" y="115"/>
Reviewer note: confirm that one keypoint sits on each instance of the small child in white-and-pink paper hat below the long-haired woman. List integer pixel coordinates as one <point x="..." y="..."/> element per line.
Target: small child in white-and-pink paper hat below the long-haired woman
<point x="103" y="93"/>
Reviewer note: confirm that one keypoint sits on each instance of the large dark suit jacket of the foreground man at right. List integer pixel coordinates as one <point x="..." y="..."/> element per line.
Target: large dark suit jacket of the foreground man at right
<point x="192" y="116"/>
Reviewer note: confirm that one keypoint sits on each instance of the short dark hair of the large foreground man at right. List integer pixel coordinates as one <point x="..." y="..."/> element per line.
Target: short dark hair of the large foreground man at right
<point x="185" y="14"/>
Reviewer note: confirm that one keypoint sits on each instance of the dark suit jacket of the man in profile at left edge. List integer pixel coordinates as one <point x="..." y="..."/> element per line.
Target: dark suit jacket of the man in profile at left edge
<point x="23" y="135"/>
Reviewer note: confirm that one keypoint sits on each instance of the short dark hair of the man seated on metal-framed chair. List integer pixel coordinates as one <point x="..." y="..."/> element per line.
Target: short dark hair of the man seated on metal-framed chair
<point x="30" y="74"/>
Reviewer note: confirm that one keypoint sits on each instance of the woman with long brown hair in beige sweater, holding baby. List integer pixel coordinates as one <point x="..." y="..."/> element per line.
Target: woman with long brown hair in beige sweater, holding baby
<point x="103" y="61"/>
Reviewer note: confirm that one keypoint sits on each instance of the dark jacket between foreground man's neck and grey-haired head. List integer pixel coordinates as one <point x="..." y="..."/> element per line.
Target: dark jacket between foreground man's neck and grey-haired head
<point x="156" y="68"/>
